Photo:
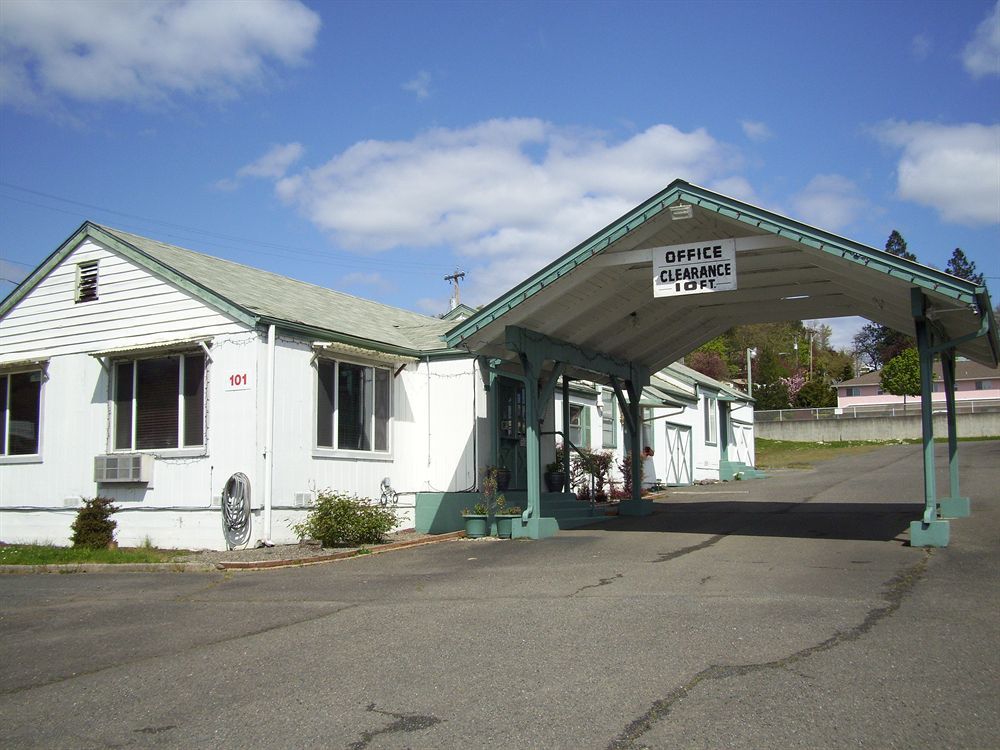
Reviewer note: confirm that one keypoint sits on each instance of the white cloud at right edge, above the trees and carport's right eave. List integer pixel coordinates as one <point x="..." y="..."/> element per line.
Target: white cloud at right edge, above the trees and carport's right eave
<point x="954" y="169"/>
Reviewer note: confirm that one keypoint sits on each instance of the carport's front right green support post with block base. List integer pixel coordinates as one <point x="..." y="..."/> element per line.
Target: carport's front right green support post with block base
<point x="929" y="531"/>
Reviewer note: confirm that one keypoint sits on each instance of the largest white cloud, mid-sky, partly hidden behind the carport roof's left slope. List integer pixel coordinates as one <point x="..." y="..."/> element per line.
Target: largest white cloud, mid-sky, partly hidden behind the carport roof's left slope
<point x="515" y="193"/>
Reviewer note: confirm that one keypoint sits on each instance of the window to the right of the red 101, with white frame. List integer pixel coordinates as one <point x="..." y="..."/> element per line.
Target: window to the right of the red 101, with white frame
<point x="353" y="406"/>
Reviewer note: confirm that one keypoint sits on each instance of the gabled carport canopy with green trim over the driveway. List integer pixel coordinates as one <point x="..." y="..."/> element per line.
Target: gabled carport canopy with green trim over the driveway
<point x="592" y="313"/>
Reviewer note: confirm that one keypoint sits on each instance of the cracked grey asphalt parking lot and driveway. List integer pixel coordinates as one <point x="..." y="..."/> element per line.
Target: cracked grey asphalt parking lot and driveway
<point x="784" y="613"/>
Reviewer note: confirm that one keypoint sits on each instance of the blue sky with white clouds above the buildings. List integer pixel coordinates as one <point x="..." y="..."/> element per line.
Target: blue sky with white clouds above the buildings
<point x="376" y="147"/>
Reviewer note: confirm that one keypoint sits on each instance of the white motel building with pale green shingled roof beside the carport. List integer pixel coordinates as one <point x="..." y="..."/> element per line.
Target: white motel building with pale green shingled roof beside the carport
<point x="151" y="374"/>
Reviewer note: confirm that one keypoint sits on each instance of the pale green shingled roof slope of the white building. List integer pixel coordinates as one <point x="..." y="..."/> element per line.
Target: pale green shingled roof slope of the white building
<point x="279" y="299"/>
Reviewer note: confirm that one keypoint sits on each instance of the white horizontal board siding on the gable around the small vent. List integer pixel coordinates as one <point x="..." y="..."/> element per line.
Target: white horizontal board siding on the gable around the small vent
<point x="134" y="308"/>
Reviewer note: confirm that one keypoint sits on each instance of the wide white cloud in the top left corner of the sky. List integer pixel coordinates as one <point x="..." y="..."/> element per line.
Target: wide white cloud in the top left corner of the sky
<point x="113" y="50"/>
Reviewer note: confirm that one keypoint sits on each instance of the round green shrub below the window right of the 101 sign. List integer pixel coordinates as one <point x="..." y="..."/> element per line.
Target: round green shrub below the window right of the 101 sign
<point x="335" y="519"/>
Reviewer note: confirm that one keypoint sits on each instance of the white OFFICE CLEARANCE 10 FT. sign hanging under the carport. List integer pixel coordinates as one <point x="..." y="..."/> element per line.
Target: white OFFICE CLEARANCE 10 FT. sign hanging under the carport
<point x="694" y="268"/>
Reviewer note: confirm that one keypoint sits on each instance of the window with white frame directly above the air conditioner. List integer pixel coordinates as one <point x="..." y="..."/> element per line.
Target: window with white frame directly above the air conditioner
<point x="159" y="402"/>
